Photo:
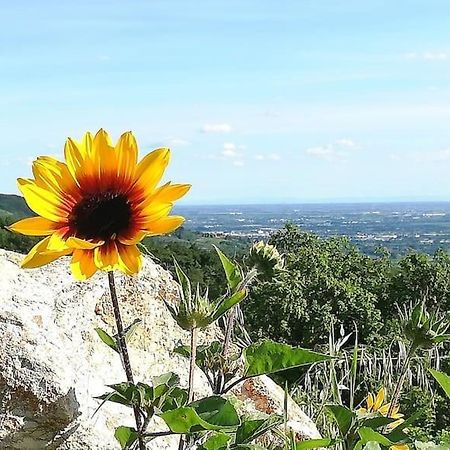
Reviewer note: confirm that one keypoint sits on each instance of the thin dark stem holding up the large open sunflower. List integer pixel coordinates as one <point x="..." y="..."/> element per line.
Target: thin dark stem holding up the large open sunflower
<point x="124" y="352"/>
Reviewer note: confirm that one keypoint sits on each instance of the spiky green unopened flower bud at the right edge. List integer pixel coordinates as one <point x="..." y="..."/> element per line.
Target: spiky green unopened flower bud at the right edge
<point x="424" y="329"/>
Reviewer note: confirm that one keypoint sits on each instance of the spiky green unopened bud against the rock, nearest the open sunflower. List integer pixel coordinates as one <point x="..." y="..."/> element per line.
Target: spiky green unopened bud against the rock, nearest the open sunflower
<point x="194" y="310"/>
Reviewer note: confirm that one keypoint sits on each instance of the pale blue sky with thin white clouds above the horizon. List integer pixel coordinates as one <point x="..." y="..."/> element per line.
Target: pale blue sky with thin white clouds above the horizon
<point x="260" y="101"/>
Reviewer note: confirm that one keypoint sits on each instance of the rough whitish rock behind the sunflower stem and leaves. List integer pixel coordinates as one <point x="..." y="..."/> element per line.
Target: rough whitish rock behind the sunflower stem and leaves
<point x="52" y="362"/>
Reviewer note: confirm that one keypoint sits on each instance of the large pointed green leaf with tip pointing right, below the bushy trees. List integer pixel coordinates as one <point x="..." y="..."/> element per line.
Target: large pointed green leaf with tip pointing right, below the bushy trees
<point x="269" y="357"/>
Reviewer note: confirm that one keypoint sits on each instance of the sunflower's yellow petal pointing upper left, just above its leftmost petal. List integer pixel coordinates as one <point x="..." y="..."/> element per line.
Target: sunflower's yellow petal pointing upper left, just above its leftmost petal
<point x="42" y="202"/>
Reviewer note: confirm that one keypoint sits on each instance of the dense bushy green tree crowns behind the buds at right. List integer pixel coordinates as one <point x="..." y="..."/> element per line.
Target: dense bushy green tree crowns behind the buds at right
<point x="328" y="281"/>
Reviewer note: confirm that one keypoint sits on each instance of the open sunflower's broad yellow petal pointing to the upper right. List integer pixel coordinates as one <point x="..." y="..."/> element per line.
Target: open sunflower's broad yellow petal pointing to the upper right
<point x="151" y="169"/>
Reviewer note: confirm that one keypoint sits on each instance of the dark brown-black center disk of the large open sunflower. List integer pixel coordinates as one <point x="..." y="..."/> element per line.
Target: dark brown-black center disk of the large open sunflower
<point x="101" y="216"/>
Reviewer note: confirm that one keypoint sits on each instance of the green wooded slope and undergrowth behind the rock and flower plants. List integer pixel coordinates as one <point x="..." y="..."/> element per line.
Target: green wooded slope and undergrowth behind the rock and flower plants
<point x="328" y="296"/>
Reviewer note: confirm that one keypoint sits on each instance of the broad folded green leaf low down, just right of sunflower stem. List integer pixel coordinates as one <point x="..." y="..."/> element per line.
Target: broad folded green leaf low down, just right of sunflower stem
<point x="210" y="413"/>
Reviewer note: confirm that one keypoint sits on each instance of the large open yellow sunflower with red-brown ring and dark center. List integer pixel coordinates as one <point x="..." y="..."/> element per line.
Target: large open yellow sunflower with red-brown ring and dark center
<point x="98" y="205"/>
